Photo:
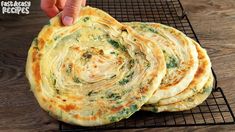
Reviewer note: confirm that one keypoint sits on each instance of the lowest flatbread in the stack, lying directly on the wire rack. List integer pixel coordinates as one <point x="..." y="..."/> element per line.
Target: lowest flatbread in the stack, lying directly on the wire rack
<point x="186" y="104"/>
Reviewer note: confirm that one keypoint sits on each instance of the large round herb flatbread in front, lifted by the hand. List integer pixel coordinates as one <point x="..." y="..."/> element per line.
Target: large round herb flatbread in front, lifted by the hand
<point x="94" y="72"/>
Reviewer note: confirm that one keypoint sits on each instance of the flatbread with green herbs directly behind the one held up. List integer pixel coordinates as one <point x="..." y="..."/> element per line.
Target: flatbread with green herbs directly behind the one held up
<point x="180" y="54"/>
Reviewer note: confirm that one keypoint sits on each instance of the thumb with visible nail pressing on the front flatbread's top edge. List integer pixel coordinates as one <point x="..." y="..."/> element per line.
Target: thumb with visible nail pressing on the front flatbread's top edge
<point x="71" y="11"/>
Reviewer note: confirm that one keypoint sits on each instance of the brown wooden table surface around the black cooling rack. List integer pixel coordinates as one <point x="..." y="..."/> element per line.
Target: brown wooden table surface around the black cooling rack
<point x="212" y="20"/>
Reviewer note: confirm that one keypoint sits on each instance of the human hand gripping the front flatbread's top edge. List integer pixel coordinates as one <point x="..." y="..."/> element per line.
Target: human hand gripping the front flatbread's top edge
<point x="70" y="9"/>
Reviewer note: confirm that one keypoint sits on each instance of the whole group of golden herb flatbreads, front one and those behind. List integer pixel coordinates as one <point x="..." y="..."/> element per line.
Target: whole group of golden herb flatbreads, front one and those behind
<point x="99" y="71"/>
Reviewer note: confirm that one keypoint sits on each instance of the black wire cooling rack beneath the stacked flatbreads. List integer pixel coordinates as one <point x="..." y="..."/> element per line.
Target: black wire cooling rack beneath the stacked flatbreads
<point x="214" y="111"/>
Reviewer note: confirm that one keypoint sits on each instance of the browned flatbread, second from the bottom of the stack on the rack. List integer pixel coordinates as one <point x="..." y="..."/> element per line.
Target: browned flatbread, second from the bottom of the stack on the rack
<point x="199" y="80"/>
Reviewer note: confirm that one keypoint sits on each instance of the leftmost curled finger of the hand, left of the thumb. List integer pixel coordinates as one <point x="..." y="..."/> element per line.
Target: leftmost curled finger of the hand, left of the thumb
<point x="48" y="6"/>
